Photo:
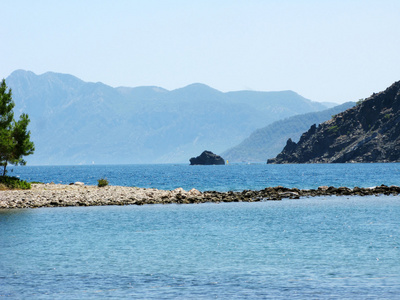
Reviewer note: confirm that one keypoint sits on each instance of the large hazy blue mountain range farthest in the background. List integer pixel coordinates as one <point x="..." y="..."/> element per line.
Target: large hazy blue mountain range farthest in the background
<point x="77" y="122"/>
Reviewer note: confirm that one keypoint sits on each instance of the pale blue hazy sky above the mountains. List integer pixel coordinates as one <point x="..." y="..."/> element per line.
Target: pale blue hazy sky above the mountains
<point x="337" y="51"/>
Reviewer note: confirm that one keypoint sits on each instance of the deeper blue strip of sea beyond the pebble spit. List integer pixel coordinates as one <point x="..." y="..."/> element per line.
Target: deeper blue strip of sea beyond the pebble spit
<point x="232" y="177"/>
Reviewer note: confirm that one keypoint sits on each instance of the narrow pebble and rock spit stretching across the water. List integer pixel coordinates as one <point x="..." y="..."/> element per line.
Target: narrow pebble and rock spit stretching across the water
<point x="59" y="195"/>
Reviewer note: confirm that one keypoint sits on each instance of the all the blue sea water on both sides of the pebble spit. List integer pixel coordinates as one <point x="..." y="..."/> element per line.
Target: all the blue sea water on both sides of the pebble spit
<point x="311" y="248"/>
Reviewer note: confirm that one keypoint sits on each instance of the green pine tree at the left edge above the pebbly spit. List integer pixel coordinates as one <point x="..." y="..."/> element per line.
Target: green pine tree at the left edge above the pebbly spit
<point x="15" y="140"/>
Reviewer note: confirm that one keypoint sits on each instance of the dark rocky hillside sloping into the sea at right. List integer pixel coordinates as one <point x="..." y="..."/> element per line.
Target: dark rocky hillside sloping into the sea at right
<point x="368" y="132"/>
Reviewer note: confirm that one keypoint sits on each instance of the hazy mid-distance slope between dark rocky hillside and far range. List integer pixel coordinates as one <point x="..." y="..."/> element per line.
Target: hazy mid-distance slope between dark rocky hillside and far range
<point x="270" y="140"/>
